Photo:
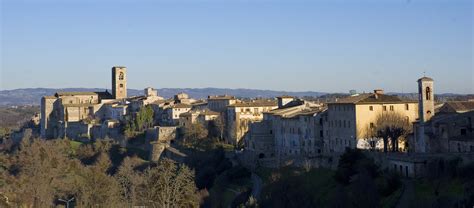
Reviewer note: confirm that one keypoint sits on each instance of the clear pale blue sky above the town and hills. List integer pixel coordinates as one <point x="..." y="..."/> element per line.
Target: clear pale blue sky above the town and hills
<point x="292" y="45"/>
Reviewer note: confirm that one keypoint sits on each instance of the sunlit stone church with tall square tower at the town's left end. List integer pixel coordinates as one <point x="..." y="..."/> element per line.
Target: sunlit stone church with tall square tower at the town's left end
<point x="73" y="114"/>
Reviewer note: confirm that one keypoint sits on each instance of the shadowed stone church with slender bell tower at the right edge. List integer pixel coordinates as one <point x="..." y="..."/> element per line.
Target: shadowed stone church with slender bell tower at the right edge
<point x="447" y="129"/>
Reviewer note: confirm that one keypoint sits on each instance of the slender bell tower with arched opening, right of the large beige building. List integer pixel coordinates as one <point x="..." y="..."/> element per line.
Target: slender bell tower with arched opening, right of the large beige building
<point x="426" y="99"/>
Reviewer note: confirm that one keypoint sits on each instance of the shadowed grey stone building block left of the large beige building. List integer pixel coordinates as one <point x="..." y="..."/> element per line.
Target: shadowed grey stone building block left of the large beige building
<point x="289" y="135"/>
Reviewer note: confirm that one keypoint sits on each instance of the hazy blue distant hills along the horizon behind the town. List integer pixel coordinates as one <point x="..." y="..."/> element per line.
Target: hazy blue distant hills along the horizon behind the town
<point x="32" y="96"/>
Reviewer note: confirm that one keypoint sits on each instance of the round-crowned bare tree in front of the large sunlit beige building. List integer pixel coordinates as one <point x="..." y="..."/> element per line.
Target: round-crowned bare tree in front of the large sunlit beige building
<point x="391" y="126"/>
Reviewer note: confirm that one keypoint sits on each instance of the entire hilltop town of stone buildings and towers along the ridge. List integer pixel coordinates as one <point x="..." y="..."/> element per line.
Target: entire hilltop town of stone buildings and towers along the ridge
<point x="400" y="135"/>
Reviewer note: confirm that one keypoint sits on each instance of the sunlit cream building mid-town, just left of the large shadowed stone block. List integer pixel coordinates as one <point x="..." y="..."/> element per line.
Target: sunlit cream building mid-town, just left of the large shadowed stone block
<point x="240" y="115"/>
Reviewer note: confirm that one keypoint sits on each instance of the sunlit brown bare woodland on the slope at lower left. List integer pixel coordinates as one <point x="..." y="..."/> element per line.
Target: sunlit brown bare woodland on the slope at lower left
<point x="43" y="173"/>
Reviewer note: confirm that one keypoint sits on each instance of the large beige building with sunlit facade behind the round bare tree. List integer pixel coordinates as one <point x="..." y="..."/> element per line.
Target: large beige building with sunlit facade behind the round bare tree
<point x="350" y="120"/>
